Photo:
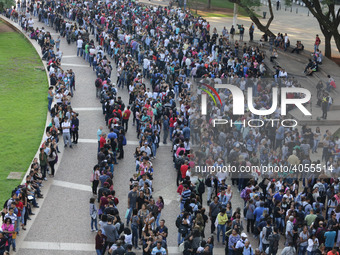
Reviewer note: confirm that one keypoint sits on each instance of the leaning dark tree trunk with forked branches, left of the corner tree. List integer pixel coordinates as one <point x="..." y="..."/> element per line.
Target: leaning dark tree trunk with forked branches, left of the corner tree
<point x="249" y="6"/>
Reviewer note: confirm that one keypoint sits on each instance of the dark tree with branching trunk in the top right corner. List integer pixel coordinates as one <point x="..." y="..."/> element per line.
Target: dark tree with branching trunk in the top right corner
<point x="328" y="19"/>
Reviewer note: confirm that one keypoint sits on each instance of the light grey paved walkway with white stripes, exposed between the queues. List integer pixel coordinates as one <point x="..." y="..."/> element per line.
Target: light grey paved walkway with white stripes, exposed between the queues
<point x="62" y="224"/>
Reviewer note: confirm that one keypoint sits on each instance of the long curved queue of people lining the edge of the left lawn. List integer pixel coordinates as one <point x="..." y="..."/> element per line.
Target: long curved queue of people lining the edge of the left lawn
<point x="64" y="121"/>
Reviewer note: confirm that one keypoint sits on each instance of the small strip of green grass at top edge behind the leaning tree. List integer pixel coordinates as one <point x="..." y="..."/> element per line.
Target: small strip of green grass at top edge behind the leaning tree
<point x="217" y="4"/>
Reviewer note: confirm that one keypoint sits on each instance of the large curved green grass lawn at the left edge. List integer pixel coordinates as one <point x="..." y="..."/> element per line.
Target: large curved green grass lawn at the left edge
<point x="23" y="105"/>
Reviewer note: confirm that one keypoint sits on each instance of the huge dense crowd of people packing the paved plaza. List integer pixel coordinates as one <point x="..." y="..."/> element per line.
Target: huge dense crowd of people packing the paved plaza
<point x="168" y="46"/>
